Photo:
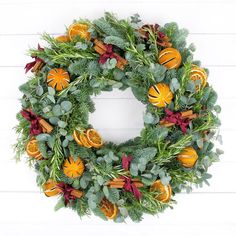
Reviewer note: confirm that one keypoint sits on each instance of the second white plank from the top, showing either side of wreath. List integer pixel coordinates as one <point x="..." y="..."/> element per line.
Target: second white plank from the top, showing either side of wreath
<point x="206" y="44"/>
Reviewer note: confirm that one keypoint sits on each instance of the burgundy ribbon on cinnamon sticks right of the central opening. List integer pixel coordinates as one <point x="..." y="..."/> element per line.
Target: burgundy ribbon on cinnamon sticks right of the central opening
<point x="177" y="119"/>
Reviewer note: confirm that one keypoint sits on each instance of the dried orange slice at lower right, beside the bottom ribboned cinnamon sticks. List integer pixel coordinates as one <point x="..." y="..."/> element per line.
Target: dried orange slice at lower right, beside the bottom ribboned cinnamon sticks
<point x="165" y="191"/>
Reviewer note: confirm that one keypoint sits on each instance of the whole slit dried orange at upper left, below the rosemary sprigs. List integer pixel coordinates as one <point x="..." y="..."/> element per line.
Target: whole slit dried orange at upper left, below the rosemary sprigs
<point x="58" y="78"/>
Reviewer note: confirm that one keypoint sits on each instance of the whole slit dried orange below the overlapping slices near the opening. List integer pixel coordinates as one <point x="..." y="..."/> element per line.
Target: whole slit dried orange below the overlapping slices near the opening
<point x="72" y="168"/>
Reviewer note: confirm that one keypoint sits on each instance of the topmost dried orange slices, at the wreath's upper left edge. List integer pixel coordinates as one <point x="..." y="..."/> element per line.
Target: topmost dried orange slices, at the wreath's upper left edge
<point x="80" y="30"/>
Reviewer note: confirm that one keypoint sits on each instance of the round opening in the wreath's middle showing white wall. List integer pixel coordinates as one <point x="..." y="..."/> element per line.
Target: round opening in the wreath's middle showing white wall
<point x="118" y="116"/>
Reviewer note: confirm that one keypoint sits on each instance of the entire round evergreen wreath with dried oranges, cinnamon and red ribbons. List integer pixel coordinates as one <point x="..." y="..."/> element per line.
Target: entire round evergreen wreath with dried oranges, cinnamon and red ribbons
<point x="114" y="181"/>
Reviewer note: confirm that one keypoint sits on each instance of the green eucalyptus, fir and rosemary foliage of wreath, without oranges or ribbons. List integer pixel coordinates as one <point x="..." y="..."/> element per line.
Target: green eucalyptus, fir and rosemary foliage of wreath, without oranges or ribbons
<point x="154" y="153"/>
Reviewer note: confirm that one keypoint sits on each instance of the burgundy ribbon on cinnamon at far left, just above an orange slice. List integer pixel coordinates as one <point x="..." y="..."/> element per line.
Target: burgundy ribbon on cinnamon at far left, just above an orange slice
<point x="35" y="127"/>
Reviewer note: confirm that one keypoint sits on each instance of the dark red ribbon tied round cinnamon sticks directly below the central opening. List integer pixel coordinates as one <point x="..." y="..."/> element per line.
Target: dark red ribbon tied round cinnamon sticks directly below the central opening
<point x="129" y="186"/>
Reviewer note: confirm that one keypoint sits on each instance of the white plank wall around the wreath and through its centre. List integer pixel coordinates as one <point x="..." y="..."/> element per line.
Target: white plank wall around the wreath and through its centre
<point x="207" y="211"/>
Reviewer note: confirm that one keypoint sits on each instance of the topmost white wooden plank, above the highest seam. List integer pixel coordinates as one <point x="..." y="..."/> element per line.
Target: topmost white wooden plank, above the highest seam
<point x="57" y="14"/>
